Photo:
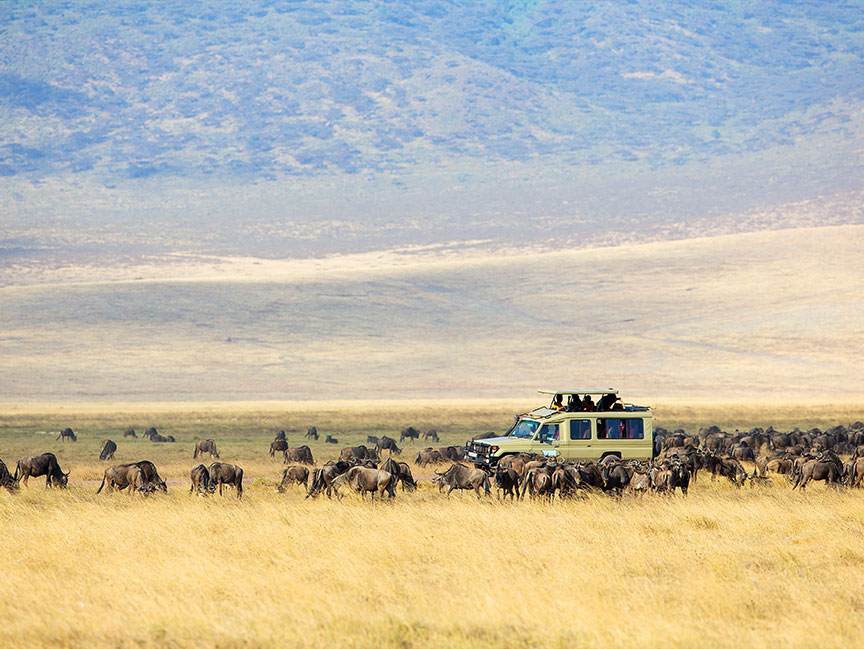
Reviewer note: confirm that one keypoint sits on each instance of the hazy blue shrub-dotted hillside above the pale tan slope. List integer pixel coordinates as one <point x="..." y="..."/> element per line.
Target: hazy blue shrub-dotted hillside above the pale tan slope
<point x="347" y="125"/>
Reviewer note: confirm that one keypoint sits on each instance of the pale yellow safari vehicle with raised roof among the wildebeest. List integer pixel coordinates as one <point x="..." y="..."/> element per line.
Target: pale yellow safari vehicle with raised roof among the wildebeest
<point x="625" y="430"/>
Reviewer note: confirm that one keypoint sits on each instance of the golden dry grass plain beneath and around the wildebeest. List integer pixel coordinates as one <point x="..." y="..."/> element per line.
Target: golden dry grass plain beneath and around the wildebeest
<point x="722" y="567"/>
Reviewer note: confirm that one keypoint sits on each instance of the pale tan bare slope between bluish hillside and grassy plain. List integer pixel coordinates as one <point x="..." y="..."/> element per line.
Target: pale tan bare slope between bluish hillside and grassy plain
<point x="756" y="316"/>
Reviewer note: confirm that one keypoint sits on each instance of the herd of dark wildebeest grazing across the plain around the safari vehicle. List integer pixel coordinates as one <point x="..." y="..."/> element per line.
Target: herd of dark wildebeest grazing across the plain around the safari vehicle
<point x="802" y="457"/>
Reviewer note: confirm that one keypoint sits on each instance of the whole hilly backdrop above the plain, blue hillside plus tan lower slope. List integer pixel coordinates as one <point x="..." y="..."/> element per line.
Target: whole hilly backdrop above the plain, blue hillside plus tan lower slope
<point x="424" y="159"/>
